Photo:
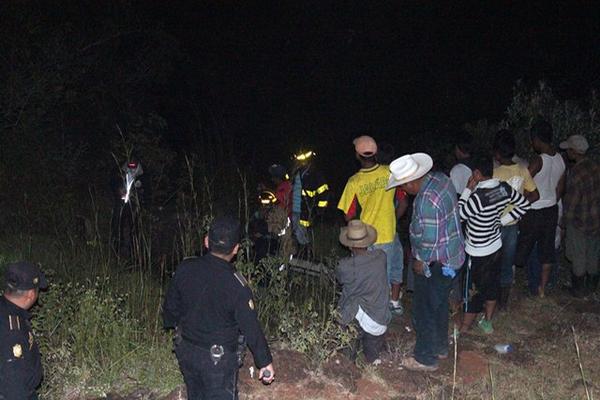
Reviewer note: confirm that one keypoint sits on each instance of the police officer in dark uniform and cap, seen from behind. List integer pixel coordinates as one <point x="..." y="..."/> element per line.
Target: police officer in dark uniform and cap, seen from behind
<point x="210" y="305"/>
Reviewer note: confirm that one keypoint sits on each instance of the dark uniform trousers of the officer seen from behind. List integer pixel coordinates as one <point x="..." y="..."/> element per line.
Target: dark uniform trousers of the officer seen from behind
<point x="203" y="379"/>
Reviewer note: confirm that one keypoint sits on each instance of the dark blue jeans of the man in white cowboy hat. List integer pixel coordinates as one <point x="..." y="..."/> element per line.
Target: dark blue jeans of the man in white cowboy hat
<point x="430" y="315"/>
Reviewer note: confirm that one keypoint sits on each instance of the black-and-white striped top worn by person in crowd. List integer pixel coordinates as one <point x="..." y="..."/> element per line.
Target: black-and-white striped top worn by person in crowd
<point x="482" y="210"/>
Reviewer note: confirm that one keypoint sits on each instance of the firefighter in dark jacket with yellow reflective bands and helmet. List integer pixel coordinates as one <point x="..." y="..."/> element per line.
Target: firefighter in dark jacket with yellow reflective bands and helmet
<point x="309" y="194"/>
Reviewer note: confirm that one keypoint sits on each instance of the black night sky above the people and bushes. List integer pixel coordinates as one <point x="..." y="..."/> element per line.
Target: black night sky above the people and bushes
<point x="273" y="77"/>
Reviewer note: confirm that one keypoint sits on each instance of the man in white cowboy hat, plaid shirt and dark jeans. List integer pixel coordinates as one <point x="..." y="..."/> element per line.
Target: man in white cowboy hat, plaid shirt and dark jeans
<point x="438" y="246"/>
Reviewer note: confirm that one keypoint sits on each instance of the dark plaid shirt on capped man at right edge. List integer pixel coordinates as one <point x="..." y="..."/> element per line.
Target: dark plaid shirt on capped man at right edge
<point x="582" y="197"/>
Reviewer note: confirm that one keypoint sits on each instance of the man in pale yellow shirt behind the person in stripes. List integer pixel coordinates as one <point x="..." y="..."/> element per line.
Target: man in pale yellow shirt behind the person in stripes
<point x="519" y="178"/>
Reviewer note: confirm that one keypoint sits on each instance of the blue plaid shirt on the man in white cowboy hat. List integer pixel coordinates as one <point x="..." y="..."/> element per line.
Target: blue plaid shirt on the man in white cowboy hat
<point x="435" y="230"/>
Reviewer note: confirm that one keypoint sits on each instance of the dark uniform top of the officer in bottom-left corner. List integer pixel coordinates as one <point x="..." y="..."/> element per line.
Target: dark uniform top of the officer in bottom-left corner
<point x="20" y="365"/>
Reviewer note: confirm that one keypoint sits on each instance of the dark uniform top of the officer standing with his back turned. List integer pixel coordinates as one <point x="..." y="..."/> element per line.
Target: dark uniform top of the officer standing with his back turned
<point x="211" y="304"/>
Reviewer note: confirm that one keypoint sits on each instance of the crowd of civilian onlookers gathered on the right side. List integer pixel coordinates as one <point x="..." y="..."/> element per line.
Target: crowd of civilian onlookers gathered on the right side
<point x="469" y="230"/>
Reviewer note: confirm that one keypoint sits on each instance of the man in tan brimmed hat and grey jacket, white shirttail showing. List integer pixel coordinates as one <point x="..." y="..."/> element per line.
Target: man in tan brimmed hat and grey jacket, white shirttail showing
<point x="365" y="291"/>
